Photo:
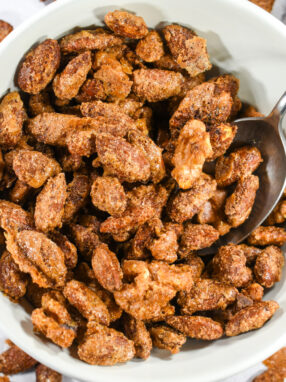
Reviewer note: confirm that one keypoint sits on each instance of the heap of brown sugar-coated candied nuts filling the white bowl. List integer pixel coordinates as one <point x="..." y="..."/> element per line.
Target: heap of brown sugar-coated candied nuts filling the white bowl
<point x="114" y="174"/>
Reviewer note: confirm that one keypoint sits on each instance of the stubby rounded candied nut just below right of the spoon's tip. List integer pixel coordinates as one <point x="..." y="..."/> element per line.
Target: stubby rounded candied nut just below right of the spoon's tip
<point x="229" y="266"/>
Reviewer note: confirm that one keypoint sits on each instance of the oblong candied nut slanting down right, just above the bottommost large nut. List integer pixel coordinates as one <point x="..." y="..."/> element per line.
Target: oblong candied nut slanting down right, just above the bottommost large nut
<point x="86" y="301"/>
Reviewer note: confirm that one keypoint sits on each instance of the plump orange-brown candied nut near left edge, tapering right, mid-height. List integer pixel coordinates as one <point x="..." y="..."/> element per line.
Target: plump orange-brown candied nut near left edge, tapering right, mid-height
<point x="34" y="168"/>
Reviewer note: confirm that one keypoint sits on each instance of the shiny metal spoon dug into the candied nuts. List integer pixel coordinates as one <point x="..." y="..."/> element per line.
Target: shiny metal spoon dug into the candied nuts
<point x="266" y="134"/>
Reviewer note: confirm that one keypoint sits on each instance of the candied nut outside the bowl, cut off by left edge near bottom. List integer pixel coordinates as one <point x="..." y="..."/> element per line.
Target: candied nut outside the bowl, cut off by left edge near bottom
<point x="14" y="360"/>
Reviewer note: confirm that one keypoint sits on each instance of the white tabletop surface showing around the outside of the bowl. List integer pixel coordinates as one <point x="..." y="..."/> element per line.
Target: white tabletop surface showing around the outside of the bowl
<point x="17" y="11"/>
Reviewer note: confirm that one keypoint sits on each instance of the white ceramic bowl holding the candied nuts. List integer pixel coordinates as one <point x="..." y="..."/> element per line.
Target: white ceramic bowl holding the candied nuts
<point x="242" y="39"/>
